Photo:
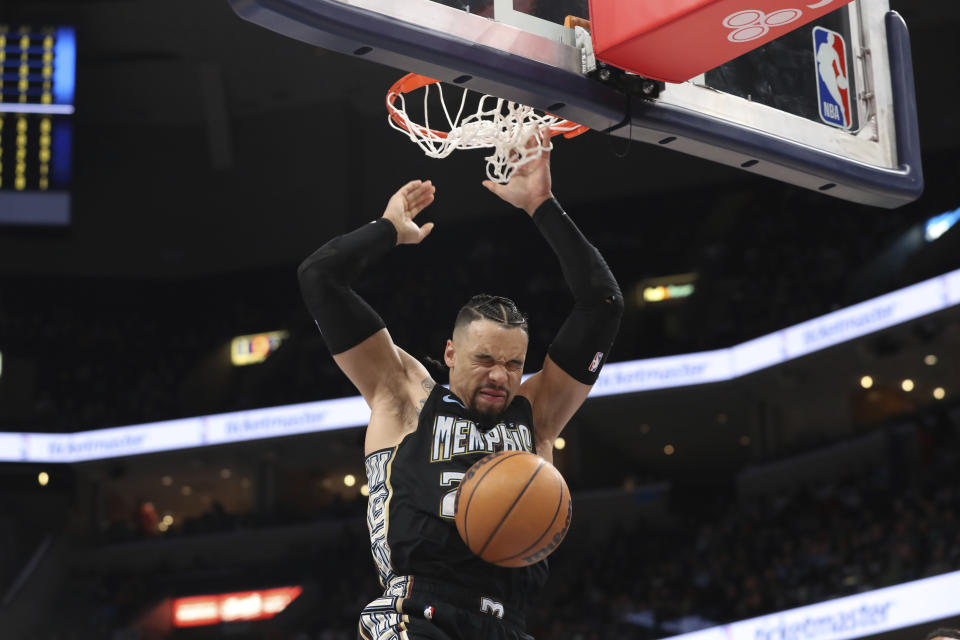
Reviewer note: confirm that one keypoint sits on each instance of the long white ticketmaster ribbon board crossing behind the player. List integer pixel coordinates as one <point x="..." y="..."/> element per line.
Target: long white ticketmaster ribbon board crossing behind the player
<point x="634" y="376"/>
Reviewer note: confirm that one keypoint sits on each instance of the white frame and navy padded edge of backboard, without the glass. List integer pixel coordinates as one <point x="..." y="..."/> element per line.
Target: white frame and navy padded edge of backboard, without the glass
<point x="535" y="64"/>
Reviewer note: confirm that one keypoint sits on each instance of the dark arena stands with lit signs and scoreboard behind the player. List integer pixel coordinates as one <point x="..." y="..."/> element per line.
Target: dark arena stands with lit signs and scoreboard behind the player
<point x="169" y="467"/>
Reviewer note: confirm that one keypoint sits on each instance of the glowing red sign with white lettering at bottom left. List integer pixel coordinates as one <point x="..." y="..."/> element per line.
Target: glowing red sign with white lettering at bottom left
<point x="195" y="611"/>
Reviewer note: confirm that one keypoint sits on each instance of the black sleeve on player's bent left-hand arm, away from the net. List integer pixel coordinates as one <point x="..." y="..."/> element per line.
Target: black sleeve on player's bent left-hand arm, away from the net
<point x="344" y="318"/>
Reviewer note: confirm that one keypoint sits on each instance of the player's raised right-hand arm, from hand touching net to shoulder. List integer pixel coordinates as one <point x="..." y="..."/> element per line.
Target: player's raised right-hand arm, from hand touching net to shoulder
<point x="583" y="342"/>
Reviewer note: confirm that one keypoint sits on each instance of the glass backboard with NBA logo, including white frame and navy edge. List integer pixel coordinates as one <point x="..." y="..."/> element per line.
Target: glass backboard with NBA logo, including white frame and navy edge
<point x="768" y="112"/>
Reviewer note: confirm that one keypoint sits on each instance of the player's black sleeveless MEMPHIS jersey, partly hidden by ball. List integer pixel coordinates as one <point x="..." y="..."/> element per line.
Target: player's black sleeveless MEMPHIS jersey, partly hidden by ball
<point x="413" y="486"/>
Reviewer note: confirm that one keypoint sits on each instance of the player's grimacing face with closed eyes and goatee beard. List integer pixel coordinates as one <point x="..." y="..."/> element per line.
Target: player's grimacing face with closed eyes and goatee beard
<point x="486" y="364"/>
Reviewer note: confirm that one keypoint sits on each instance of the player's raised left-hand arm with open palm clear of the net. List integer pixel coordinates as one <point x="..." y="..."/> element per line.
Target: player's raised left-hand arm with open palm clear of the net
<point x="353" y="331"/>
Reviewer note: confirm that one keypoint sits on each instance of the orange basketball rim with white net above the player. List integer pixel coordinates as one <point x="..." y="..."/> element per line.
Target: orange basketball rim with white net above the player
<point x="500" y="124"/>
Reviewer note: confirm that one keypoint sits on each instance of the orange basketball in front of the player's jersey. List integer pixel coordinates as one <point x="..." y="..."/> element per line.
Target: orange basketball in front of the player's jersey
<point x="513" y="508"/>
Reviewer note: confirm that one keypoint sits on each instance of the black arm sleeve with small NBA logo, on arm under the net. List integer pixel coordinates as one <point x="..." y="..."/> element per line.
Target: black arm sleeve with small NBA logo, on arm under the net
<point x="584" y="341"/>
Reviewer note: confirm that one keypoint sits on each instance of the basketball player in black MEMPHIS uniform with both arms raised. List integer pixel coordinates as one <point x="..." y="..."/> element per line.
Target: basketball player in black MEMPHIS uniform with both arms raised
<point x="423" y="437"/>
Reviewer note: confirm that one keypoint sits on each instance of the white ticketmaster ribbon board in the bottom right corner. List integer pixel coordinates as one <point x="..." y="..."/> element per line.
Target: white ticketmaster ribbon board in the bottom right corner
<point x="858" y="616"/>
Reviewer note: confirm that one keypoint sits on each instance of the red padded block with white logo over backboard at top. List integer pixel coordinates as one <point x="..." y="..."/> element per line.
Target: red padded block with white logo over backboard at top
<point x="675" y="40"/>
